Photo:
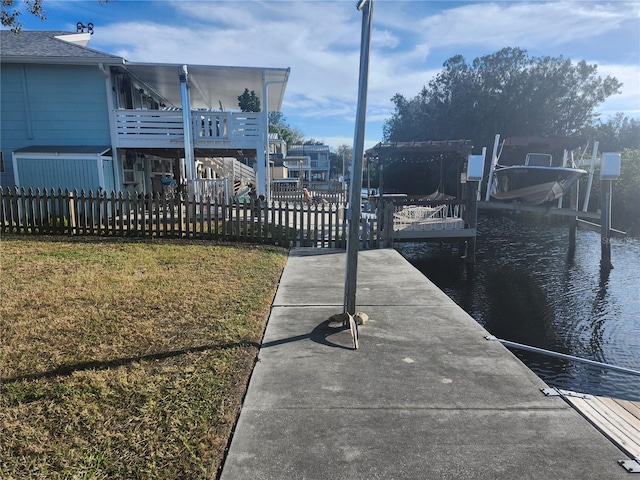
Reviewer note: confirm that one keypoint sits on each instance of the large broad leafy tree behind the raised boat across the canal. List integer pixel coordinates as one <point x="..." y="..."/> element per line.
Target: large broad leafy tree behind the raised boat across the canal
<point x="507" y="92"/>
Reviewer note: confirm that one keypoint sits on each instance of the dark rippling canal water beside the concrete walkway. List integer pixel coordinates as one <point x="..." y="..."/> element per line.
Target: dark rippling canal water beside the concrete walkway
<point x="528" y="288"/>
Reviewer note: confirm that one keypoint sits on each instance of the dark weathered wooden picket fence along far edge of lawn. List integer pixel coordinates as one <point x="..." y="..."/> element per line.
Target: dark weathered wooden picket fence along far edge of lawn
<point x="280" y="223"/>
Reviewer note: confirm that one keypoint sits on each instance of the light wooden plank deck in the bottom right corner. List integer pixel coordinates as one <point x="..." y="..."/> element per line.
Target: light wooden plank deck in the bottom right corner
<point x="618" y="420"/>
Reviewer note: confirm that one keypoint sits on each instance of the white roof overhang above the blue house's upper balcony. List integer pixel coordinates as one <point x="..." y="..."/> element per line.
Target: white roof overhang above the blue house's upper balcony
<point x="212" y="86"/>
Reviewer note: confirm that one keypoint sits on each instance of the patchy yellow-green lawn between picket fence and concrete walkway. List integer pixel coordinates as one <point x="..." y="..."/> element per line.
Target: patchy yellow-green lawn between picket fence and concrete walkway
<point x="126" y="359"/>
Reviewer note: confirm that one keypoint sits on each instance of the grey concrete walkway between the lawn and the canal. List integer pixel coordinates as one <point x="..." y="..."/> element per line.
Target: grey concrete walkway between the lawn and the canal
<point x="425" y="396"/>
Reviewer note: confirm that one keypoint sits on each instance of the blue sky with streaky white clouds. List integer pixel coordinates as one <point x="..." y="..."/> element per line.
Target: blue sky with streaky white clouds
<point x="320" y="42"/>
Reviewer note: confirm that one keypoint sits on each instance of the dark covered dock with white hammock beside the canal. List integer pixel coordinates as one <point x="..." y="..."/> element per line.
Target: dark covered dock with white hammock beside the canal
<point x="426" y="184"/>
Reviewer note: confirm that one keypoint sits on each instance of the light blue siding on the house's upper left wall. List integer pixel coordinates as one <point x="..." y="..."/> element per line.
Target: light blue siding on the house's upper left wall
<point x="50" y="105"/>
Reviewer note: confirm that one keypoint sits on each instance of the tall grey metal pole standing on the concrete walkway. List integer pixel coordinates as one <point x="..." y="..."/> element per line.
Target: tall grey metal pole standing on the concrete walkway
<point x="353" y="214"/>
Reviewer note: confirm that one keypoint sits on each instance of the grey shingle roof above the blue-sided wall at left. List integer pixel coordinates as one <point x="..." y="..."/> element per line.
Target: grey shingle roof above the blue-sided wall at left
<point x="45" y="47"/>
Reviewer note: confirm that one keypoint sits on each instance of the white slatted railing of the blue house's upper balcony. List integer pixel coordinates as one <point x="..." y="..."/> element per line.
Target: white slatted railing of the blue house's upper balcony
<point x="164" y="129"/>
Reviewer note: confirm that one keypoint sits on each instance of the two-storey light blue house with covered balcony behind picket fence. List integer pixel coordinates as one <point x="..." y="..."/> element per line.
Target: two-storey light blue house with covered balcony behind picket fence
<point x="77" y="118"/>
